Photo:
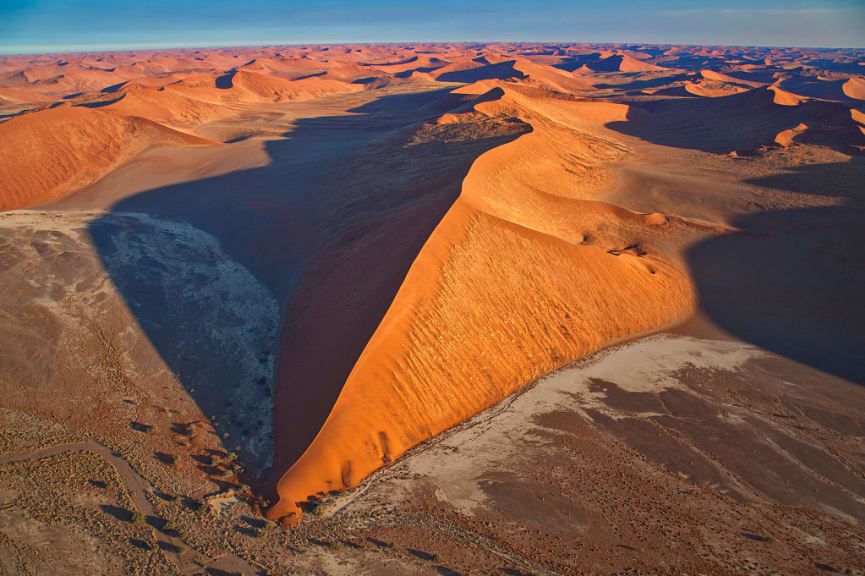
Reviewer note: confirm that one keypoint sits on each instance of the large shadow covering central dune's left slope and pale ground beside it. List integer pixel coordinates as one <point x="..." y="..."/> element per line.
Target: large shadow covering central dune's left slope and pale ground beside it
<point x="259" y="288"/>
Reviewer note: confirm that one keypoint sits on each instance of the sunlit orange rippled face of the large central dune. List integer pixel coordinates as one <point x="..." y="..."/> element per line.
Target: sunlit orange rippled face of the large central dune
<point x="522" y="268"/>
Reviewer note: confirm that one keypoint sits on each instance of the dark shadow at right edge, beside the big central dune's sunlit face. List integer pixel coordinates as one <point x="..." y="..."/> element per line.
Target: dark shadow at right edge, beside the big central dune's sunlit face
<point x="792" y="280"/>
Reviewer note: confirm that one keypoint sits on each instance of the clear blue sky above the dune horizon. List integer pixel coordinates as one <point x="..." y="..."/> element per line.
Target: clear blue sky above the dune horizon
<point x="66" y="25"/>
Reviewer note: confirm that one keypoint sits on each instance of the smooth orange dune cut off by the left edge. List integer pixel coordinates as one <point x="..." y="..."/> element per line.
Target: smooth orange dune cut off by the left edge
<point x="50" y="153"/>
